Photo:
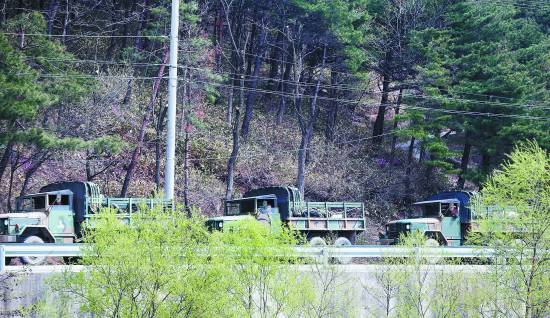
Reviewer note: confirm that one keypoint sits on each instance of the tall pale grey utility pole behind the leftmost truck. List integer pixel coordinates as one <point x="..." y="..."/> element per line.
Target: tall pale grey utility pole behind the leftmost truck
<point x="169" y="177"/>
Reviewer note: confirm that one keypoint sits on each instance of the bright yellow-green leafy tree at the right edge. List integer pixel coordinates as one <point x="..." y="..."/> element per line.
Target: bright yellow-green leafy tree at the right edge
<point x="514" y="217"/>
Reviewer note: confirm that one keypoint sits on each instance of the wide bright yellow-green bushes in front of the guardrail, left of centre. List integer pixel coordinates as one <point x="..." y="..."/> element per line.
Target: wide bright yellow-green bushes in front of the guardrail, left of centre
<point x="164" y="264"/>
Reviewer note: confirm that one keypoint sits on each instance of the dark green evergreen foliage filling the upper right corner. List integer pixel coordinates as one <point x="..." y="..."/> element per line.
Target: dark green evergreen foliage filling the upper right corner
<point x="478" y="62"/>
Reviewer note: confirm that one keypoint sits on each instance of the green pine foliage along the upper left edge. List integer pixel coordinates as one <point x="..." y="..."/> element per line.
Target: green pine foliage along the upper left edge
<point x="37" y="74"/>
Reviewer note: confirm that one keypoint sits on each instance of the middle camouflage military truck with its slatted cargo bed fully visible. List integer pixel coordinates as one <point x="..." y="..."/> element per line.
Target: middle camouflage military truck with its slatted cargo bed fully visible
<point x="283" y="205"/>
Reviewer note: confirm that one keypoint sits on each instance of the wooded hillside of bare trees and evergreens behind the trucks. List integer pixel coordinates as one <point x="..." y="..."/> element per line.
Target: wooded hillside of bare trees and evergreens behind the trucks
<point x="380" y="101"/>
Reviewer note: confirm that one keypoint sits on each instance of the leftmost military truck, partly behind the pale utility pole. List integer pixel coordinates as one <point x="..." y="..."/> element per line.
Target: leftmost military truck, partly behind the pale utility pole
<point x="58" y="212"/>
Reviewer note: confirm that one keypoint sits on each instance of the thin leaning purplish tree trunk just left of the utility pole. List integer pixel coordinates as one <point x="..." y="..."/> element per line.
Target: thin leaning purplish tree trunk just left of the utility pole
<point x="146" y="119"/>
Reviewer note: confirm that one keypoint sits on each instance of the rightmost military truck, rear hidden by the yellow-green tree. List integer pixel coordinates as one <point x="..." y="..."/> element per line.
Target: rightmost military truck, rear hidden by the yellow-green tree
<point x="444" y="218"/>
